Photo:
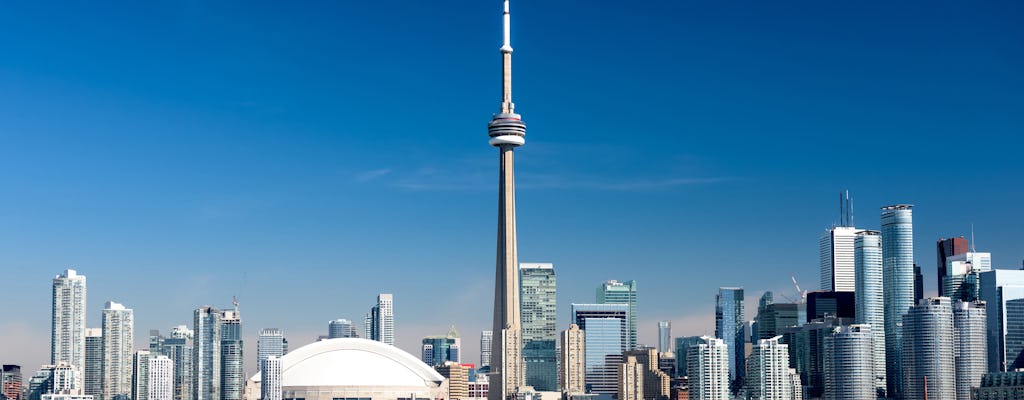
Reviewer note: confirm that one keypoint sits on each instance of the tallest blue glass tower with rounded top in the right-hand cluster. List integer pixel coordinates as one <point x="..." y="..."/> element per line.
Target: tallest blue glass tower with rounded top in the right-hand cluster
<point x="898" y="277"/>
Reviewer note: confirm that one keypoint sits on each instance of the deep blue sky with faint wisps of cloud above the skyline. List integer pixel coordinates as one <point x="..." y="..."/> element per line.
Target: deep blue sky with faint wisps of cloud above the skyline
<point x="307" y="157"/>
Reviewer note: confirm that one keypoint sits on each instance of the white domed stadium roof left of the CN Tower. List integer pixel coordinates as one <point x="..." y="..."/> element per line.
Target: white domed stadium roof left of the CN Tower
<point x="351" y="364"/>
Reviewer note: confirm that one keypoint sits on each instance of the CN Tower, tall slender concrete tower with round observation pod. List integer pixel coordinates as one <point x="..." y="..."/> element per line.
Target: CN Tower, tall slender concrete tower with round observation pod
<point x="507" y="132"/>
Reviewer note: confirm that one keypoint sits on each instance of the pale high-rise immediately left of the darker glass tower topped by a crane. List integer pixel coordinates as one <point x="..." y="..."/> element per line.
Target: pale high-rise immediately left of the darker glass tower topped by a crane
<point x="206" y="354"/>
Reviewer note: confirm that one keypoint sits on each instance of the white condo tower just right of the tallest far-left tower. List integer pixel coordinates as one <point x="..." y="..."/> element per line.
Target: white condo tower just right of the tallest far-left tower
<point x="119" y="343"/>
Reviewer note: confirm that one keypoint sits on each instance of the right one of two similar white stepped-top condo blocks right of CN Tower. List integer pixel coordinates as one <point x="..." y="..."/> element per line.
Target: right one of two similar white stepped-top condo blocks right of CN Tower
<point x="769" y="371"/>
